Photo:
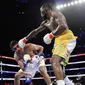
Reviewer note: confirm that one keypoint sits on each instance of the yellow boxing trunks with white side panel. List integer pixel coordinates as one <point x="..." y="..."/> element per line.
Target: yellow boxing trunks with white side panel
<point x="64" y="44"/>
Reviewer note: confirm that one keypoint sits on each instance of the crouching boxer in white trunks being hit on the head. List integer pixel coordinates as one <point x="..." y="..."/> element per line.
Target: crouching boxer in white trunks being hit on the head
<point x="30" y="60"/>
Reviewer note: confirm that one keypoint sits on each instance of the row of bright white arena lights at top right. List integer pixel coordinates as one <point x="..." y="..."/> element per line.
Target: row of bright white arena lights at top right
<point x="70" y="4"/>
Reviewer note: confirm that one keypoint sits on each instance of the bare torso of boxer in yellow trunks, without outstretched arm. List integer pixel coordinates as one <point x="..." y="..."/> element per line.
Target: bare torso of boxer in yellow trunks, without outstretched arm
<point x="56" y="19"/>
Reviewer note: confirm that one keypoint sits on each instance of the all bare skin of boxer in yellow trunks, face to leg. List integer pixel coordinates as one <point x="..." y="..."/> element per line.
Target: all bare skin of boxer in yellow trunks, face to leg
<point x="55" y="21"/>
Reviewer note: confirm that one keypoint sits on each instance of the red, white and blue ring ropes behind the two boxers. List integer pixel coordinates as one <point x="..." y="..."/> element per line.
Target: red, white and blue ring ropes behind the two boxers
<point x="50" y="71"/>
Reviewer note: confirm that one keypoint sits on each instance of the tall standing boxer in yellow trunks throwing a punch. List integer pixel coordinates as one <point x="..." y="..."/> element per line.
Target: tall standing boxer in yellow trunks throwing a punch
<point x="65" y="40"/>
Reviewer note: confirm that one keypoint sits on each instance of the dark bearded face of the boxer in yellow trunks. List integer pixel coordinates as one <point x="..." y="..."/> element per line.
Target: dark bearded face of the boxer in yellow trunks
<point x="45" y="13"/>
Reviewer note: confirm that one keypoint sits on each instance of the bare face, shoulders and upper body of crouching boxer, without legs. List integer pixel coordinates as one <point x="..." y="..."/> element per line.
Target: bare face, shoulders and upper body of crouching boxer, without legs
<point x="30" y="49"/>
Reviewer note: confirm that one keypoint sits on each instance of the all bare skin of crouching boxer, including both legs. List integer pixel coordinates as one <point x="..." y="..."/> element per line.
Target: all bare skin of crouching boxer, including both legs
<point x="30" y="49"/>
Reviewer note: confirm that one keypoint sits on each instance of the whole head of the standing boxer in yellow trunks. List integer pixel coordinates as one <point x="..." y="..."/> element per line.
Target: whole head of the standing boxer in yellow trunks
<point x="46" y="11"/>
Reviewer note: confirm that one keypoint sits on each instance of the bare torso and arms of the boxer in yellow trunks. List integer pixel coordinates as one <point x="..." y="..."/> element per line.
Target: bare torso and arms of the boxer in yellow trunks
<point x="56" y="23"/>
